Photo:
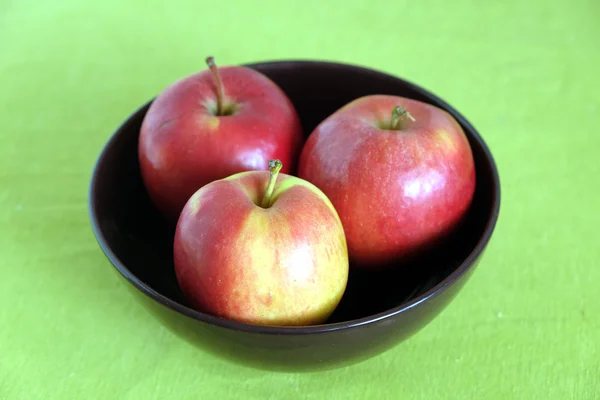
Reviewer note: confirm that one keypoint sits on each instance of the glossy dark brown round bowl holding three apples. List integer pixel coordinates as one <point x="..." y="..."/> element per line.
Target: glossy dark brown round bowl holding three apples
<point x="377" y="311"/>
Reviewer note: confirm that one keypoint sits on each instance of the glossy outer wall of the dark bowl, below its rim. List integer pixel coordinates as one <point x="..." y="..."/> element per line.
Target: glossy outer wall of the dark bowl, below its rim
<point x="297" y="353"/>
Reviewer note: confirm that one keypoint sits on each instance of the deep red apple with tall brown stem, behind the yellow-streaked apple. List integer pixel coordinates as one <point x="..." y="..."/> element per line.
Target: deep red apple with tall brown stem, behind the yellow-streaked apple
<point x="211" y="125"/>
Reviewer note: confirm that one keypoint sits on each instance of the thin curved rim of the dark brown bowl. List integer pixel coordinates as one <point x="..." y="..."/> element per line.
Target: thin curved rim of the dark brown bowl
<point x="434" y="291"/>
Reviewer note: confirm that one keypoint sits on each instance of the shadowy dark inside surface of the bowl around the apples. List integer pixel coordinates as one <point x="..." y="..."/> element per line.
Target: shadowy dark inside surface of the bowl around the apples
<point x="141" y="241"/>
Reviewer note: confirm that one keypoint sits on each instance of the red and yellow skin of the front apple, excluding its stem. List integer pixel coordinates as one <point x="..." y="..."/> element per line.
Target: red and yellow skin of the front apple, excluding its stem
<point x="284" y="265"/>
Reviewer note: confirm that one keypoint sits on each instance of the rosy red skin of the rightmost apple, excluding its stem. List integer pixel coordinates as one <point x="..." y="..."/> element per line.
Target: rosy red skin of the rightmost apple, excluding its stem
<point x="397" y="192"/>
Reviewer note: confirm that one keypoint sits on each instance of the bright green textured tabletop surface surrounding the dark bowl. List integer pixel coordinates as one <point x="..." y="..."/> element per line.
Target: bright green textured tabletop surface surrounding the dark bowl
<point x="525" y="73"/>
